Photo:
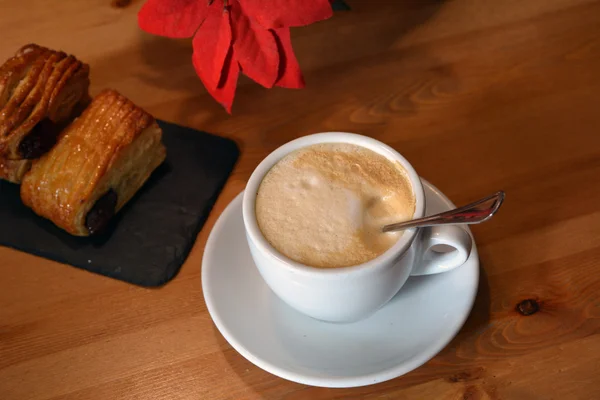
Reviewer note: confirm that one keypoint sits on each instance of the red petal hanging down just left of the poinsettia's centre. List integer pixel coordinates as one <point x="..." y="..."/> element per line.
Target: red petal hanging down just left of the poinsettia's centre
<point x="211" y="45"/>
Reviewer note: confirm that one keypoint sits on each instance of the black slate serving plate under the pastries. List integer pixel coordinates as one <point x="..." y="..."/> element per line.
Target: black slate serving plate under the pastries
<point x="153" y="234"/>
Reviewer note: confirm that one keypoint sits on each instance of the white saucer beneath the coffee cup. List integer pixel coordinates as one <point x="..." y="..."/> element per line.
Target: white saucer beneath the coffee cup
<point x="417" y="323"/>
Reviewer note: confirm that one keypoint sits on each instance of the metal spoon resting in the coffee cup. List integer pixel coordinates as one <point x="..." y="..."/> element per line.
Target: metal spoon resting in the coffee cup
<point x="473" y="213"/>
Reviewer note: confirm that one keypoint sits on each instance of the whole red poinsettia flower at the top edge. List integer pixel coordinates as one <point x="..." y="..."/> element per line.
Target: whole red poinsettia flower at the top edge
<point x="233" y="36"/>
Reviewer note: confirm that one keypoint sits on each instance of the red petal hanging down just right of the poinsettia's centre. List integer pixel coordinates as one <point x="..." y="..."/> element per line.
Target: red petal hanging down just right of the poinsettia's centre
<point x="255" y="48"/>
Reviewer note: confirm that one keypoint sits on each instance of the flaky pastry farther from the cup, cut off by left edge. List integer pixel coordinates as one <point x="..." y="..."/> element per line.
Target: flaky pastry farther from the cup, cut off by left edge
<point x="39" y="91"/>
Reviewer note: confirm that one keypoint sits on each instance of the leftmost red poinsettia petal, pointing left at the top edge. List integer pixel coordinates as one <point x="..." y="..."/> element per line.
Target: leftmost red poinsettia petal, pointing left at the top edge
<point x="172" y="18"/>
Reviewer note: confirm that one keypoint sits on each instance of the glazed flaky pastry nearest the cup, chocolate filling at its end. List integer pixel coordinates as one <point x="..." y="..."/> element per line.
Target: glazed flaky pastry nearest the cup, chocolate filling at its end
<point x="99" y="162"/>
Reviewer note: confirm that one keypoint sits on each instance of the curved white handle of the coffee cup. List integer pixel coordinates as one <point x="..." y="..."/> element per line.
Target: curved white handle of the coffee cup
<point x="434" y="262"/>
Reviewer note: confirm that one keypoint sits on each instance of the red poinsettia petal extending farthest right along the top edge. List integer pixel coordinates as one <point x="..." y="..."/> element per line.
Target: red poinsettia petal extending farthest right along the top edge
<point x="286" y="13"/>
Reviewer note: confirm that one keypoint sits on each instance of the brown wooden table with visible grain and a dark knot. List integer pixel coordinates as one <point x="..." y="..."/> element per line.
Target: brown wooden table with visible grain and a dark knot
<point x="479" y="95"/>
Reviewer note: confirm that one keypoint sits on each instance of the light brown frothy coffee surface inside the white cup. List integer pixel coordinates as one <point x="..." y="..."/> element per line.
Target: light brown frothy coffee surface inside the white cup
<point x="324" y="205"/>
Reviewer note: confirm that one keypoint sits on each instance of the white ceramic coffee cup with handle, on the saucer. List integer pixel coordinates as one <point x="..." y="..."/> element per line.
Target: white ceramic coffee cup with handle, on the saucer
<point x="350" y="293"/>
